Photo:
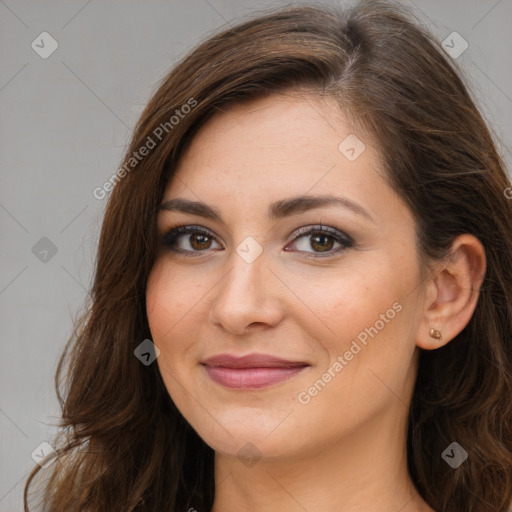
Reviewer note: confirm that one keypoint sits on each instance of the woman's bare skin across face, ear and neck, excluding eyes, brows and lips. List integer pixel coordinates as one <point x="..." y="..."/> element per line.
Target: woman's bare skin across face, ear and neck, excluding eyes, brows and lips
<point x="345" y="449"/>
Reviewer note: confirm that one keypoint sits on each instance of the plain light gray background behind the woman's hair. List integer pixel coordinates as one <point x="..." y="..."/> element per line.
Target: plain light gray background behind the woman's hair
<point x="65" y="122"/>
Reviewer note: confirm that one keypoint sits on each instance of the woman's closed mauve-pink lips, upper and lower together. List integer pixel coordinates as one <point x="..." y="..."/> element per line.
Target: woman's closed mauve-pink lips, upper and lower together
<point x="253" y="371"/>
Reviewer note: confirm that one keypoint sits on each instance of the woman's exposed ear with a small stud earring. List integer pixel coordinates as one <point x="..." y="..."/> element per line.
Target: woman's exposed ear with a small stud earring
<point x="452" y="292"/>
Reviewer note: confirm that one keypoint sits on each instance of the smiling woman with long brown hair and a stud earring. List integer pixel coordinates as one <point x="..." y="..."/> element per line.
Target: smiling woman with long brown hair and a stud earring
<point x="303" y="286"/>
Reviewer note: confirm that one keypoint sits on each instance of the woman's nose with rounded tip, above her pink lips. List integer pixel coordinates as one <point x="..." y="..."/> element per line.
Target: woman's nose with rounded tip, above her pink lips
<point x="247" y="297"/>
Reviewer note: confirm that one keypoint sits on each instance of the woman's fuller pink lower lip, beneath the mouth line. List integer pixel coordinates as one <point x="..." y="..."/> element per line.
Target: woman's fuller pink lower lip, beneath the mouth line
<point x="251" y="378"/>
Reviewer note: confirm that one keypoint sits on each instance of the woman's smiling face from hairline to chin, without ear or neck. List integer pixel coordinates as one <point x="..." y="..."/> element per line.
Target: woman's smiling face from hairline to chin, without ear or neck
<point x="341" y="302"/>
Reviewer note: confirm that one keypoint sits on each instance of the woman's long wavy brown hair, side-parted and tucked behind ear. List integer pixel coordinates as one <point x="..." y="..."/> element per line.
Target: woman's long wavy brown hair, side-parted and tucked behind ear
<point x="123" y="444"/>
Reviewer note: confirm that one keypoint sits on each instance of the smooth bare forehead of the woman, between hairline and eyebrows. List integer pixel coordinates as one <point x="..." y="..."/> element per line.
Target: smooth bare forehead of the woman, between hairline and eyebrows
<point x="283" y="140"/>
